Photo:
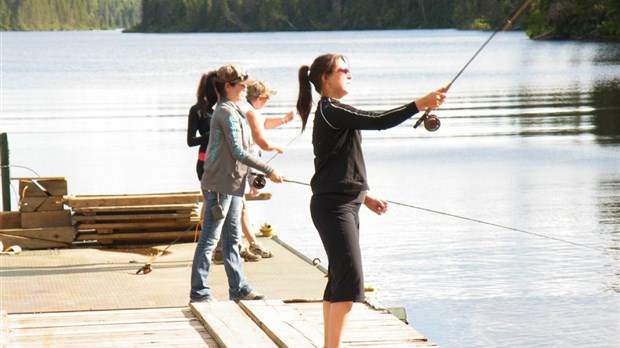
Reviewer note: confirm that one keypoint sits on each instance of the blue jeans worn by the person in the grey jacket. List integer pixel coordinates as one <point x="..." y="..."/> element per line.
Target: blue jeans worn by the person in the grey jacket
<point x="230" y="230"/>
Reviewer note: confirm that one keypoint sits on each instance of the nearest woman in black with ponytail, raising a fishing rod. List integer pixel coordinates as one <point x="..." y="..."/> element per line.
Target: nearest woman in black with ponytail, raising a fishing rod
<point x="339" y="184"/>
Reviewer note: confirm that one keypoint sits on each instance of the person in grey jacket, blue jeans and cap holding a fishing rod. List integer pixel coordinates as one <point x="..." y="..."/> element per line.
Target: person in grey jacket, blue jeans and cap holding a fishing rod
<point x="227" y="163"/>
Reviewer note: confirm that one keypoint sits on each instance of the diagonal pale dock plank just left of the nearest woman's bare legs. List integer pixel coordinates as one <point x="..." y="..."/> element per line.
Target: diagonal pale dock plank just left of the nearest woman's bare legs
<point x="284" y="324"/>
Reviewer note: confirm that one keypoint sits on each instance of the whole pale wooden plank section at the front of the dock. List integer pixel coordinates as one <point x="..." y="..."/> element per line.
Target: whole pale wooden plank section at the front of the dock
<point x="260" y="324"/>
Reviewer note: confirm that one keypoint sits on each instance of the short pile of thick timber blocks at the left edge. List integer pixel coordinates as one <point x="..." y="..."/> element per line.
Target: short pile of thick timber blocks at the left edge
<point x="41" y="222"/>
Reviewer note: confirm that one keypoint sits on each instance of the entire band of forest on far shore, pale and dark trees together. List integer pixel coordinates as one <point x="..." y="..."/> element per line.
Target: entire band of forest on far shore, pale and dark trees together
<point x="560" y="19"/>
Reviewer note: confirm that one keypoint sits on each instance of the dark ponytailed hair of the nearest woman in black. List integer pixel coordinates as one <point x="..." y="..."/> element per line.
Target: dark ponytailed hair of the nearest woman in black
<point x="312" y="74"/>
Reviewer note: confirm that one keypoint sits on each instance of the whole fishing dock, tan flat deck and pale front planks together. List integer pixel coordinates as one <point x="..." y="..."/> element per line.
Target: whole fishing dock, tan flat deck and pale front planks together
<point x="92" y="296"/>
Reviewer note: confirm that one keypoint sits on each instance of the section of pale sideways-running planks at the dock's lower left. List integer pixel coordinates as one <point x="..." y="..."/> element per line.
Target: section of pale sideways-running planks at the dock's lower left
<point x="165" y="327"/>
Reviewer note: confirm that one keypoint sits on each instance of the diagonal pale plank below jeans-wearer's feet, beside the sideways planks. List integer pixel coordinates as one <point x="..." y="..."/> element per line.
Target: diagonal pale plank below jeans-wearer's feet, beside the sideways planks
<point x="229" y="326"/>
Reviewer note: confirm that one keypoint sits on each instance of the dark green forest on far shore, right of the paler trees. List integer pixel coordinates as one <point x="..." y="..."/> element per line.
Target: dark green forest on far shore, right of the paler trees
<point x="559" y="19"/>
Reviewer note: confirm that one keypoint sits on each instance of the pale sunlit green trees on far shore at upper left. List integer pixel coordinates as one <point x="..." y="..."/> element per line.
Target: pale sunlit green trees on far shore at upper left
<point x="69" y="14"/>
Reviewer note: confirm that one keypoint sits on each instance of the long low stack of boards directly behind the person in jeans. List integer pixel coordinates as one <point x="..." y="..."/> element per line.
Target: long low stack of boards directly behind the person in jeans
<point x="111" y="219"/>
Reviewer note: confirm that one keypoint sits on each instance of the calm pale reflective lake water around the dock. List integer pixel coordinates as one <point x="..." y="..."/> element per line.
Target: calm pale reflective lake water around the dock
<point x="529" y="145"/>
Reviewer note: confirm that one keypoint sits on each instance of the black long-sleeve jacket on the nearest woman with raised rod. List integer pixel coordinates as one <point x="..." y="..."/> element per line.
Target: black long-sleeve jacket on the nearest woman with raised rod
<point x="339" y="165"/>
